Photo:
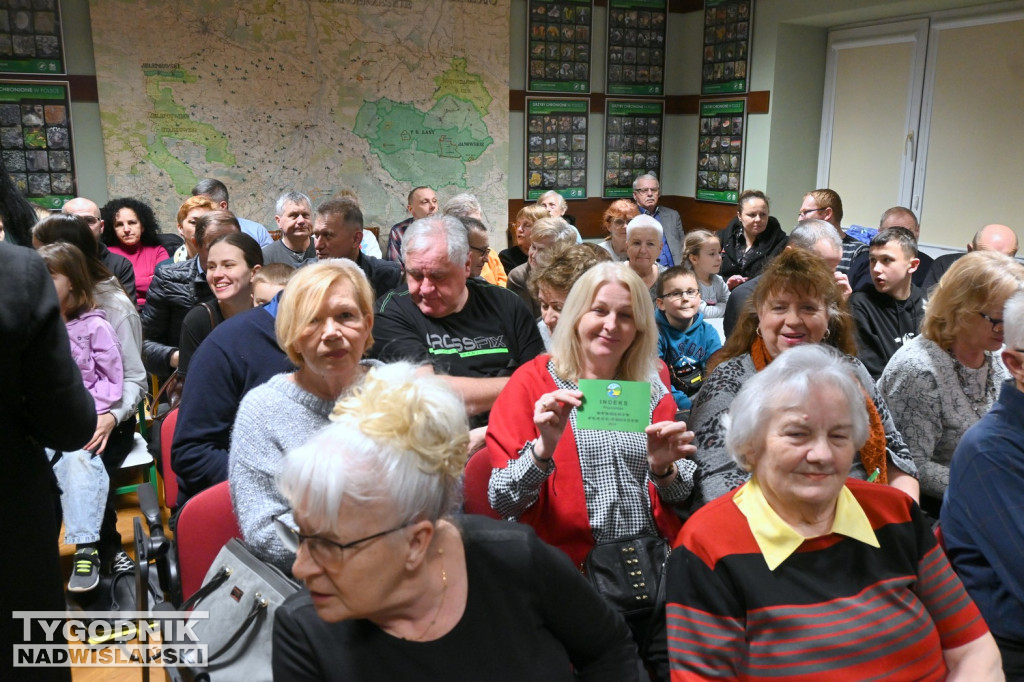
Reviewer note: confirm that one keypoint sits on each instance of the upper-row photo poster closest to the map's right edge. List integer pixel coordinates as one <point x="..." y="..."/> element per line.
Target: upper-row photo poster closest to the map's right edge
<point x="559" y="53"/>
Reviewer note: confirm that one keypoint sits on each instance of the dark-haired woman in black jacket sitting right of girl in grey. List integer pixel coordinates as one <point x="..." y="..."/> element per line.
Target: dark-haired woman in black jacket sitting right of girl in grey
<point x="751" y="240"/>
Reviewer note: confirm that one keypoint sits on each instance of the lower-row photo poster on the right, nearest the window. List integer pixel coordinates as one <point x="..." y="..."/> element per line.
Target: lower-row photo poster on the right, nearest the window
<point x="720" y="150"/>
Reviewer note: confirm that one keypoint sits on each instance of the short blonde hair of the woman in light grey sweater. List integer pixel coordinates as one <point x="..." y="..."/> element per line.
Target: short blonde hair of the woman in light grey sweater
<point x="306" y="293"/>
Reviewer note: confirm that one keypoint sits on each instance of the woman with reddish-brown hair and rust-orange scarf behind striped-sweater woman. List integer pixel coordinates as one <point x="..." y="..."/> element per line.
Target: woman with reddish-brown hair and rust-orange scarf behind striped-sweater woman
<point x="796" y="303"/>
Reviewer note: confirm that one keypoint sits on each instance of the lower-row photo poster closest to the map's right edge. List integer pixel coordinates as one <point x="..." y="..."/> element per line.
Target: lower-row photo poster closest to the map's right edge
<point x="557" y="147"/>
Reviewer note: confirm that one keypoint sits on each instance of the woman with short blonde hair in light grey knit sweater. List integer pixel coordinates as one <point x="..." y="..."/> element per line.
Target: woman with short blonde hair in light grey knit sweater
<point x="324" y="325"/>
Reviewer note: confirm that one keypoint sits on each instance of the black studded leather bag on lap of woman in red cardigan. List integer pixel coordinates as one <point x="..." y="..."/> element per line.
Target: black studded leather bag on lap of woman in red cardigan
<point x="628" y="573"/>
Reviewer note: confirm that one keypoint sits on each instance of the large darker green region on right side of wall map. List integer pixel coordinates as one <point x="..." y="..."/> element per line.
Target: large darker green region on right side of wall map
<point x="414" y="145"/>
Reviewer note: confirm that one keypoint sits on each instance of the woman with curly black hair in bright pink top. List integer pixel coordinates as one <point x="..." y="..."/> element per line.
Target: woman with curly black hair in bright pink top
<point x="131" y="230"/>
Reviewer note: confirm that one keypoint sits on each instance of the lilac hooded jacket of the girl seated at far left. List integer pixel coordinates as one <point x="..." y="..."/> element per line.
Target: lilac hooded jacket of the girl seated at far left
<point x="97" y="351"/>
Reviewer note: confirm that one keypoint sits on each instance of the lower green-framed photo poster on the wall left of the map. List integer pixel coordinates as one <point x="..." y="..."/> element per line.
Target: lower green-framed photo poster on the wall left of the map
<point x="36" y="141"/>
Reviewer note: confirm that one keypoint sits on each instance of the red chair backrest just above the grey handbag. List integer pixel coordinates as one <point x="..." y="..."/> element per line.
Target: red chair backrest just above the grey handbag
<point x="205" y="525"/>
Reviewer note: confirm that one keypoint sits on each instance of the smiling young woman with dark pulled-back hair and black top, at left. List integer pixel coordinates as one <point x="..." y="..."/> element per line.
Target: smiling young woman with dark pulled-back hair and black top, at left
<point x="233" y="261"/>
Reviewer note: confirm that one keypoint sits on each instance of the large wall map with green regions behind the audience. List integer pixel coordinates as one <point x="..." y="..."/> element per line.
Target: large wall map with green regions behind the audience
<point x="317" y="96"/>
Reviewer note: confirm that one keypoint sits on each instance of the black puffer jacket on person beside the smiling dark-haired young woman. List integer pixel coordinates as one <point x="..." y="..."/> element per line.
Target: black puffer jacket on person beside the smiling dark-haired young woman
<point x="177" y="289"/>
